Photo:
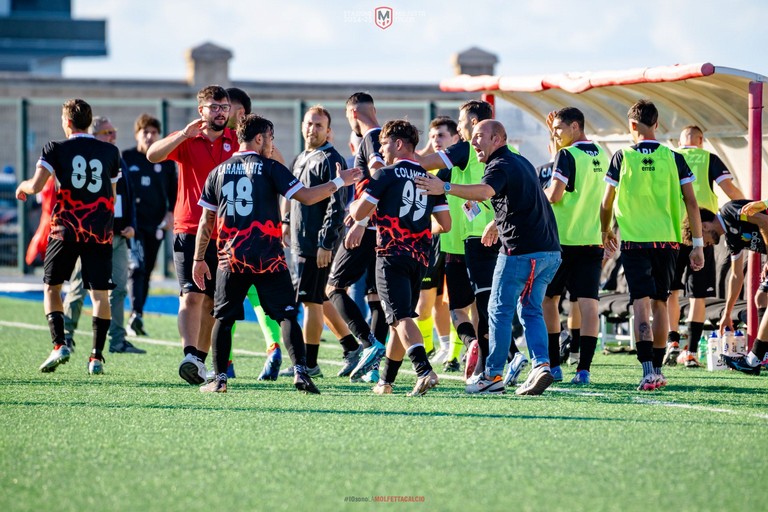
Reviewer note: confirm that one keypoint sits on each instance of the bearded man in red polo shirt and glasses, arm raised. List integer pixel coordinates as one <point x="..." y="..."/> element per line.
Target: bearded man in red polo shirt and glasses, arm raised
<point x="199" y="147"/>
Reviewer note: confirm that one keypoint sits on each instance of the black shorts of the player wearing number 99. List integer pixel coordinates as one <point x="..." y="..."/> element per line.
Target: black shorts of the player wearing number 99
<point x="398" y="279"/>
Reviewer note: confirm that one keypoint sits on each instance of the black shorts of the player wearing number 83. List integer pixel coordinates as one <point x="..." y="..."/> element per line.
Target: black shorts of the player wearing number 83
<point x="96" y="259"/>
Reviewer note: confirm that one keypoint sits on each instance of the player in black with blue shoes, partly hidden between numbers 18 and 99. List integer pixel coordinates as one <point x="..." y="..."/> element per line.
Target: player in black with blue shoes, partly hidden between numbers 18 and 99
<point x="357" y="254"/>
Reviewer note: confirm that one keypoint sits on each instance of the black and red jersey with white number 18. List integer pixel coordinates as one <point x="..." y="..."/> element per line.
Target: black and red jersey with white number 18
<point x="243" y="191"/>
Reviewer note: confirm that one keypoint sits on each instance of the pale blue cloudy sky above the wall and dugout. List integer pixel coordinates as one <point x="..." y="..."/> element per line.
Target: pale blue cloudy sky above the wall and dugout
<point x="337" y="41"/>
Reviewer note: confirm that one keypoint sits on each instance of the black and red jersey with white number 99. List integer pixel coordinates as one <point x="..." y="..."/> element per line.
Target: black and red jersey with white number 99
<point x="403" y="212"/>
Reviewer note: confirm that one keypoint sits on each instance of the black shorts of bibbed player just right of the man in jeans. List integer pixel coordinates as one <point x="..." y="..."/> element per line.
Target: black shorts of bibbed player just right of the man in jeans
<point x="579" y="273"/>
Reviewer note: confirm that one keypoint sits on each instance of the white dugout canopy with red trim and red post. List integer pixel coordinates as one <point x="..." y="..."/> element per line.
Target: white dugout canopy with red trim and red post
<point x="726" y="103"/>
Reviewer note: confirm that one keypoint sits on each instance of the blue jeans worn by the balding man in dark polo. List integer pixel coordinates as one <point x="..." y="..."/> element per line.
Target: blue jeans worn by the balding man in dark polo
<point x="519" y="282"/>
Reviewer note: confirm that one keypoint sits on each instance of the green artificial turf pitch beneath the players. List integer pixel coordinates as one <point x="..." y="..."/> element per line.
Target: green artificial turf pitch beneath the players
<point x="140" y="439"/>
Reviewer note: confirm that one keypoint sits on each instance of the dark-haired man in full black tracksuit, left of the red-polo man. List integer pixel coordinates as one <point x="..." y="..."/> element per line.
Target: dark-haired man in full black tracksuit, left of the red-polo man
<point x="154" y="189"/>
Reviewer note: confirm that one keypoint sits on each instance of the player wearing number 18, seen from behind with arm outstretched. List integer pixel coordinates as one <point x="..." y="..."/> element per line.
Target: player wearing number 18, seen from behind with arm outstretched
<point x="241" y="195"/>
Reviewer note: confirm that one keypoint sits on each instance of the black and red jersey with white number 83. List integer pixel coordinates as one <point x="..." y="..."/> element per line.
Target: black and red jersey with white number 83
<point x="84" y="169"/>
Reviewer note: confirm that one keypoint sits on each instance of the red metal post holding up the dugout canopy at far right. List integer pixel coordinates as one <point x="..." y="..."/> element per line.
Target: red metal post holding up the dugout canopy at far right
<point x="755" y="154"/>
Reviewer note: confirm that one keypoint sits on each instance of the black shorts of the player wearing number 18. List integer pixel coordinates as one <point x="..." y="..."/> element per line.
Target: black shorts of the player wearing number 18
<point x="275" y="291"/>
